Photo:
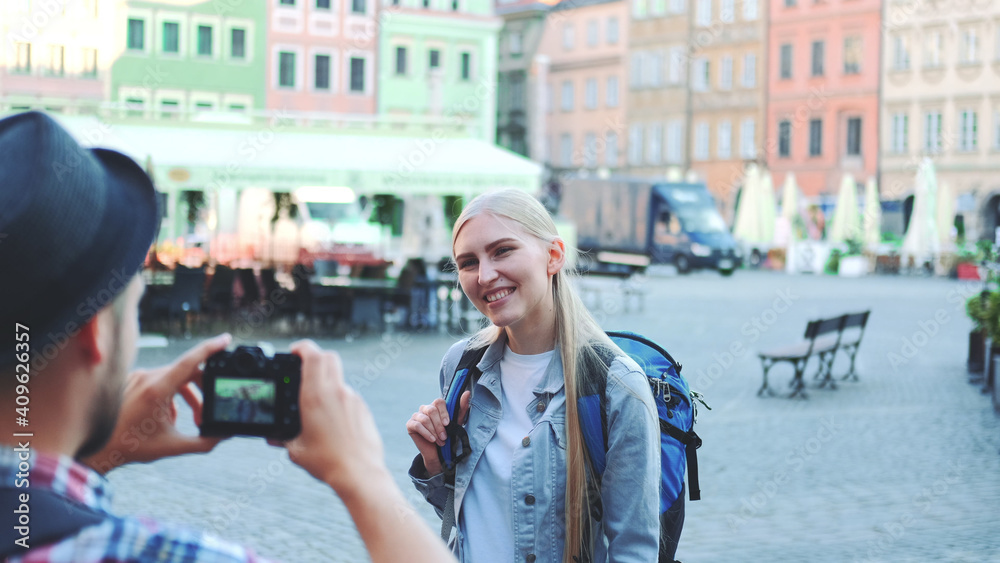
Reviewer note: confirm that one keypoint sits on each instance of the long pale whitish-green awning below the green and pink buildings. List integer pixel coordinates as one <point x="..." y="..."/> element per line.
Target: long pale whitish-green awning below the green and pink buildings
<point x="188" y="156"/>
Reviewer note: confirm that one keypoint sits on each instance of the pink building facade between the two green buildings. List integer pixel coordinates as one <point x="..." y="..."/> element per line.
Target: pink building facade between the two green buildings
<point x="321" y="55"/>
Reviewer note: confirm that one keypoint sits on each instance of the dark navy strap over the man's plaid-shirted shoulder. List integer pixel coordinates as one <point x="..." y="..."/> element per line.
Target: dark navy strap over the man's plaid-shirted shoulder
<point x="53" y="518"/>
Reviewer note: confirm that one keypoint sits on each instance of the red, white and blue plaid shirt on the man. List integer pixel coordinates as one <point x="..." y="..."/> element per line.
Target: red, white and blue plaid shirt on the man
<point x="116" y="538"/>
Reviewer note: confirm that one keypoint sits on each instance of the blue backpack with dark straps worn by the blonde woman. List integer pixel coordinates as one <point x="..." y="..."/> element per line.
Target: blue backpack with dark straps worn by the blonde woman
<point x="678" y="441"/>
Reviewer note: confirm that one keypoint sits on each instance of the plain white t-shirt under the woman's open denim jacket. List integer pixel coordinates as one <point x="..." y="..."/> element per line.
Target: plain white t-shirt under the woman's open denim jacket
<point x="487" y="508"/>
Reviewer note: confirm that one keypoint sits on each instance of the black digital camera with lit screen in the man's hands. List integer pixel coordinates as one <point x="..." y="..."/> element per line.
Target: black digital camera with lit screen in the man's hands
<point x="247" y="393"/>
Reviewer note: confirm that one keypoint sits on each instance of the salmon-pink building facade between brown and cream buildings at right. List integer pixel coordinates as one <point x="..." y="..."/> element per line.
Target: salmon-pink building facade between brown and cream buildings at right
<point x="823" y="92"/>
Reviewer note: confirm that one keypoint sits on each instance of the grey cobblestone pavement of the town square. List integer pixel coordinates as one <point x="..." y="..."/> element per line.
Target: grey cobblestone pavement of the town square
<point x="903" y="465"/>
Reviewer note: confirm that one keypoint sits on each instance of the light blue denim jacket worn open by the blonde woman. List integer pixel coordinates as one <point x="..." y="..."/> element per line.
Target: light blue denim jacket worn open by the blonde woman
<point x="629" y="529"/>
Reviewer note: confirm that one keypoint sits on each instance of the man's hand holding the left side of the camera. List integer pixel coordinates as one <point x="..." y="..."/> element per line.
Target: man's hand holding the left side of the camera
<point x="146" y="429"/>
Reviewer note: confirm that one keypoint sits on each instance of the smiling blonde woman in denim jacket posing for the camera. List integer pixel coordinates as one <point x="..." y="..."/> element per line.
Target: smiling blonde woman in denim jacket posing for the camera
<point x="522" y="494"/>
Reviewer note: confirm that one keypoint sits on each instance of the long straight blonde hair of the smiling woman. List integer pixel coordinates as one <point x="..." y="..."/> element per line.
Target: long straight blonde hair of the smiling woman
<point x="577" y="336"/>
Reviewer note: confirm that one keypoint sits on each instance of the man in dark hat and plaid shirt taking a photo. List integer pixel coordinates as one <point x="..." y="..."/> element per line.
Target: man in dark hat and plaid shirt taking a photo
<point x="75" y="226"/>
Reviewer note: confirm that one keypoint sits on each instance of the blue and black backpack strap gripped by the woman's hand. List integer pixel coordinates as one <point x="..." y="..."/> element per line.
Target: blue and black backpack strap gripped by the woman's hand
<point x="456" y="446"/>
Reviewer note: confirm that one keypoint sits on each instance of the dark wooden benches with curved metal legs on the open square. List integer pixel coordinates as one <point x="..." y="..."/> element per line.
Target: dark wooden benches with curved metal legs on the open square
<point x="823" y="338"/>
